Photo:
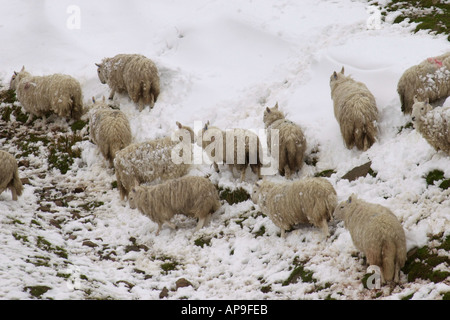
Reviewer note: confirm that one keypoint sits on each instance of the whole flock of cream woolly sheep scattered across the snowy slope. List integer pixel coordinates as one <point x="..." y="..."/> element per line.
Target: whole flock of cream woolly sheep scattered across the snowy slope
<point x="160" y="188"/>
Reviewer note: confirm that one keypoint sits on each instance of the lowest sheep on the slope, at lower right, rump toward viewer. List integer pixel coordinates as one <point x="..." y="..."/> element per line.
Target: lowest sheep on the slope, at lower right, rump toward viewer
<point x="375" y="231"/>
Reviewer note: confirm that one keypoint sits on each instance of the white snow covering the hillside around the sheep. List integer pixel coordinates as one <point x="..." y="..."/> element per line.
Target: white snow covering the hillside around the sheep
<point x="222" y="61"/>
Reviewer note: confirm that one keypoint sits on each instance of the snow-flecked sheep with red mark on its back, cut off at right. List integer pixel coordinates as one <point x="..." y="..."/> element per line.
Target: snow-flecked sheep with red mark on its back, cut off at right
<point x="429" y="79"/>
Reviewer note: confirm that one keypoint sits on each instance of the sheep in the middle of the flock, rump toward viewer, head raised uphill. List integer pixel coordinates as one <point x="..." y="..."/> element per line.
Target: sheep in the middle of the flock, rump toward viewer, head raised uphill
<point x="292" y="141"/>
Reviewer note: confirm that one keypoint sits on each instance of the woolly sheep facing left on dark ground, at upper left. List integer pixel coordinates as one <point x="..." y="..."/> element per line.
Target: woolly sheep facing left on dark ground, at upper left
<point x="57" y="93"/>
